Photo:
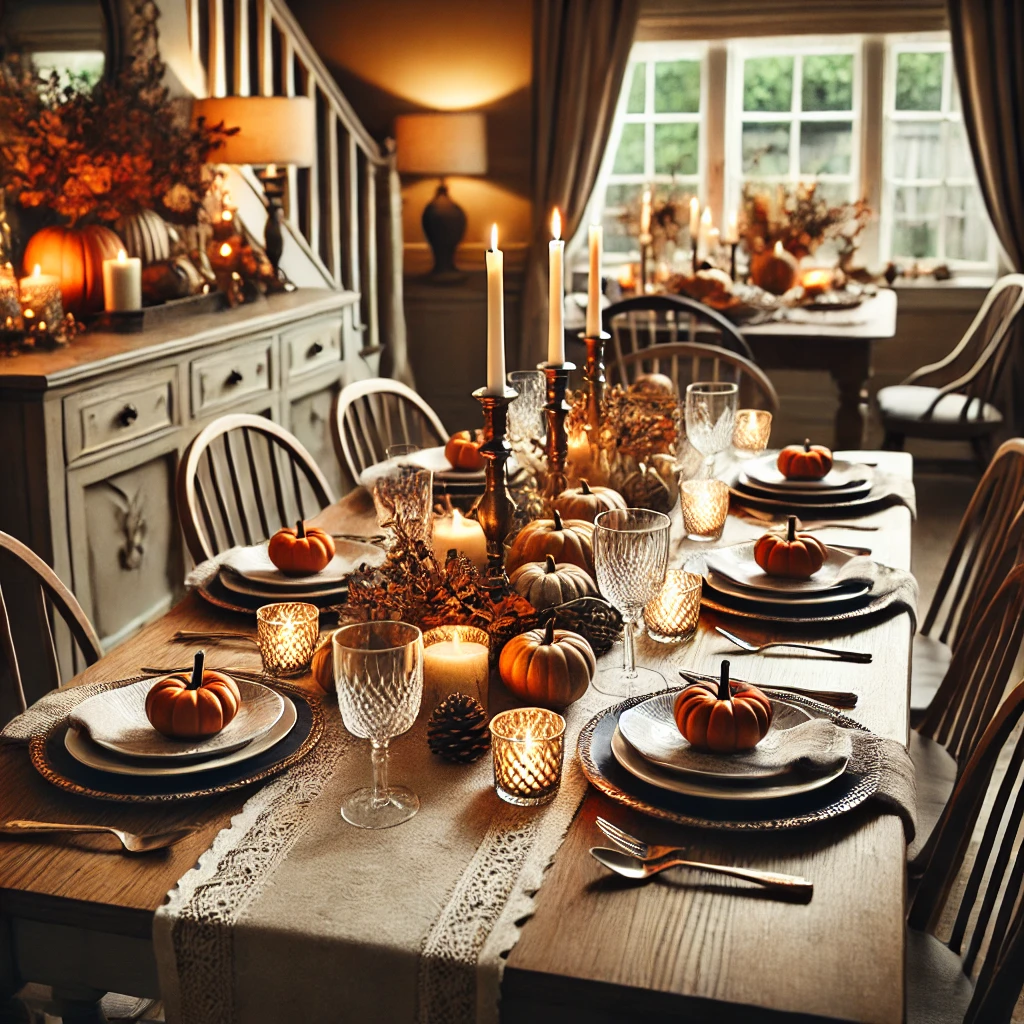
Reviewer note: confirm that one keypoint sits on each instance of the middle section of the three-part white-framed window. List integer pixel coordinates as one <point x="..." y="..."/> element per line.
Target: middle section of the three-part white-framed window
<point x="794" y="118"/>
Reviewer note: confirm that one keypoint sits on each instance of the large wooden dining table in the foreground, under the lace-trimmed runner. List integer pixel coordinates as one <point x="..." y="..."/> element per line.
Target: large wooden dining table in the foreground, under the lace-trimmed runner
<point x="80" y="917"/>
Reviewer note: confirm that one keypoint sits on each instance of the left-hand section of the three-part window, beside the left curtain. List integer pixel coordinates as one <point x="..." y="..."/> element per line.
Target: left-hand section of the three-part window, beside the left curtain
<point x="661" y="138"/>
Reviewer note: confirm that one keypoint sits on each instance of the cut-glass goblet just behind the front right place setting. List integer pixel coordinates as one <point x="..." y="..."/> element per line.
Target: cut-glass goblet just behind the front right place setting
<point x="631" y="556"/>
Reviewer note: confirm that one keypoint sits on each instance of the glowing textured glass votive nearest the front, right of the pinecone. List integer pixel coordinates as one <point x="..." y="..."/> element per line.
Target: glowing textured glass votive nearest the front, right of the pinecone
<point x="528" y="746"/>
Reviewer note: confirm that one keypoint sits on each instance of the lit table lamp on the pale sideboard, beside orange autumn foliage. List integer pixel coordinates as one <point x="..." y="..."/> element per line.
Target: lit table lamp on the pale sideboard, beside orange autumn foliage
<point x="273" y="131"/>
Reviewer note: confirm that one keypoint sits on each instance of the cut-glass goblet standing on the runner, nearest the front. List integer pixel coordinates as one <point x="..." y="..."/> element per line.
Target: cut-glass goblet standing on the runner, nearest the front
<point x="378" y="670"/>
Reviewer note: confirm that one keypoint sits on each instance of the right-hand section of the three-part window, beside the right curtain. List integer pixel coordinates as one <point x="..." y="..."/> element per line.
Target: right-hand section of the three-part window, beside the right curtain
<point x="933" y="209"/>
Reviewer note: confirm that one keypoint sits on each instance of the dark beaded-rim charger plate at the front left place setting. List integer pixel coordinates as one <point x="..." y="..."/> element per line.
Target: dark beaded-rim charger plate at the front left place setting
<point x="52" y="760"/>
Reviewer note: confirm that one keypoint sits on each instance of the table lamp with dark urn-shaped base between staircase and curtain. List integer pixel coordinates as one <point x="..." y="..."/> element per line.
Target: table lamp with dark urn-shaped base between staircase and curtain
<point x="437" y="146"/>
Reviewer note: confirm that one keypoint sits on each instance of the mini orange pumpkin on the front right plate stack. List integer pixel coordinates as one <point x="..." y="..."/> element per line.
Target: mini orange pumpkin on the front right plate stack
<point x="723" y="717"/>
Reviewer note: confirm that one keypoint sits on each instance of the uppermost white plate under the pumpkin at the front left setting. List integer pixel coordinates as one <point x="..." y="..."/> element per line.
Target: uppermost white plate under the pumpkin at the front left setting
<point x="116" y="720"/>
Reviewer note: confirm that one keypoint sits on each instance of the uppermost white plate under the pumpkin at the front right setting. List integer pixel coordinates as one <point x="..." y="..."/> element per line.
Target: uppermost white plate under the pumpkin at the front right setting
<point x="651" y="730"/>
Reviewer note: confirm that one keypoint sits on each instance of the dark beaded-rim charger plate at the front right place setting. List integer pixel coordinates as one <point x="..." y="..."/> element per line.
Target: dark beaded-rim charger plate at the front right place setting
<point x="607" y="775"/>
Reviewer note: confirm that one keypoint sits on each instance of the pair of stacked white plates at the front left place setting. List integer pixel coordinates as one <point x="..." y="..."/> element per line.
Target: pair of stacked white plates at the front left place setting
<point x="110" y="733"/>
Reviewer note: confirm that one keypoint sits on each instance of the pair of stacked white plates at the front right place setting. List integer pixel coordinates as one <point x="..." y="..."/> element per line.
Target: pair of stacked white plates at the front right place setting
<point x="648" y="744"/>
